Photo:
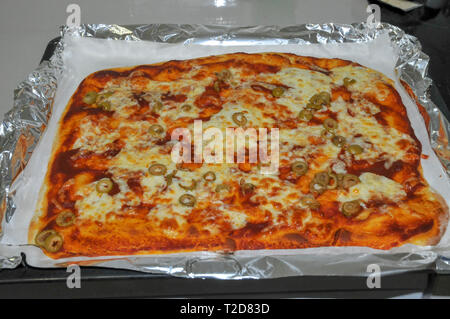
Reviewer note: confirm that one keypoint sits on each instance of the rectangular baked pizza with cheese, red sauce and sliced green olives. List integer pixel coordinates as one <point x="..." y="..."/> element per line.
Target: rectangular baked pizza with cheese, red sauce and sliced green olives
<point x="348" y="167"/>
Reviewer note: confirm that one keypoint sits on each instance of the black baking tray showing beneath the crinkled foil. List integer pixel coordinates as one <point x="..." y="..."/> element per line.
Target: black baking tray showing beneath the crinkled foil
<point x="30" y="282"/>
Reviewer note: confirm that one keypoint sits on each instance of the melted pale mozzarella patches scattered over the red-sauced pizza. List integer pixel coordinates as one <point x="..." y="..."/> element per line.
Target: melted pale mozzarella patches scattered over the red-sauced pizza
<point x="275" y="196"/>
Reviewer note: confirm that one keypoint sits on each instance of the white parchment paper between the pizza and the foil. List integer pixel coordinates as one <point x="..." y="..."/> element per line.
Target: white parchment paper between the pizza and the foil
<point x="82" y="56"/>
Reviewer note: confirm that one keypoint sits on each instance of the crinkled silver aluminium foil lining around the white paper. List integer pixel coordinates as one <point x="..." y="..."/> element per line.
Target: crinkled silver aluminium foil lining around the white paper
<point x="23" y="126"/>
